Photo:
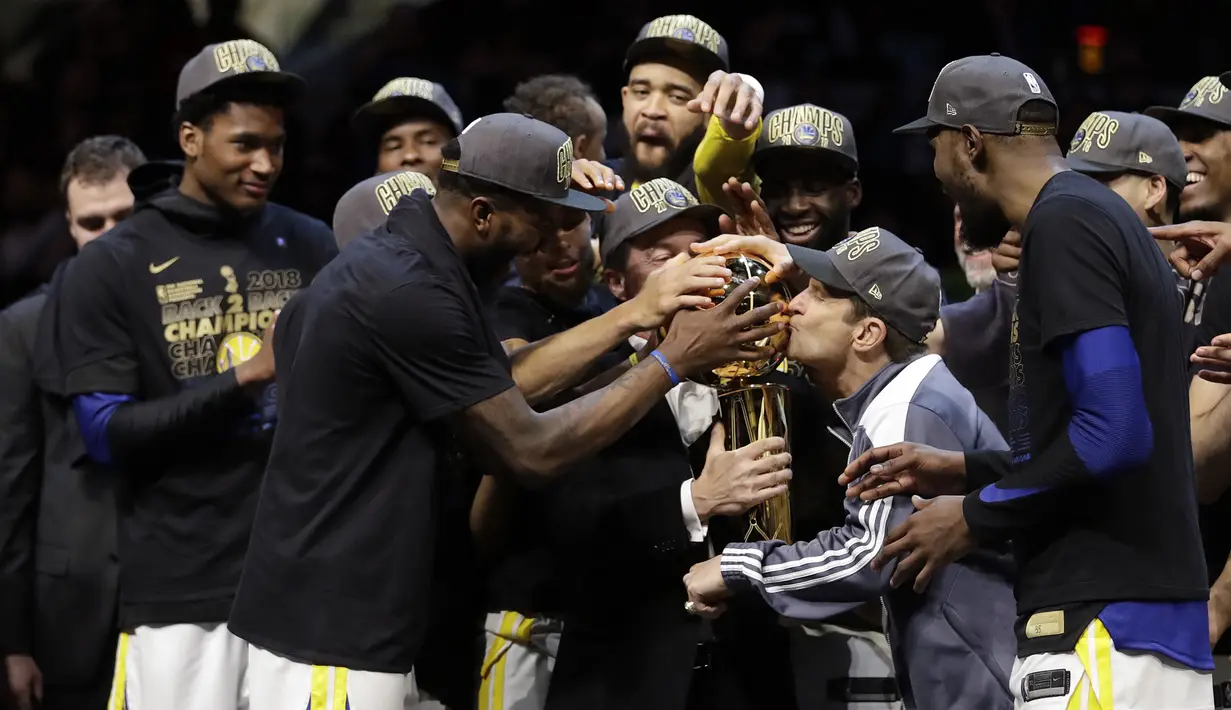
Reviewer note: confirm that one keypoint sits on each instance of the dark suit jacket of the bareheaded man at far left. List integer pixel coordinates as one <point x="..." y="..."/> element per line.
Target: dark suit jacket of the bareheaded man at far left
<point x="58" y="565"/>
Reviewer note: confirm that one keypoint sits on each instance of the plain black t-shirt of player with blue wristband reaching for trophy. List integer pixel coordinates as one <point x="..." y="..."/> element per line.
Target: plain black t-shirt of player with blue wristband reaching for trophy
<point x="393" y="343"/>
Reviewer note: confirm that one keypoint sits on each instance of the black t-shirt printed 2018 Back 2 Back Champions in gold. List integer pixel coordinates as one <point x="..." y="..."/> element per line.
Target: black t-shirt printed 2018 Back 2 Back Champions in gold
<point x="167" y="302"/>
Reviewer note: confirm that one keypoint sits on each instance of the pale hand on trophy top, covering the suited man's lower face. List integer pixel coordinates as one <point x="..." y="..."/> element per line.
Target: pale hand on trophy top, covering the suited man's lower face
<point x="678" y="285"/>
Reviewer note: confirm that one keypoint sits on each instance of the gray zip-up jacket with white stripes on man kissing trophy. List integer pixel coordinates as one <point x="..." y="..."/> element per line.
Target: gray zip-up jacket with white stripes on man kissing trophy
<point x="953" y="647"/>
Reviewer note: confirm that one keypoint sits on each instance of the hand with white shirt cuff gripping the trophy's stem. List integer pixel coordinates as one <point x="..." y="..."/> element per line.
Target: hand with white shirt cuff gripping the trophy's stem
<point x="737" y="482"/>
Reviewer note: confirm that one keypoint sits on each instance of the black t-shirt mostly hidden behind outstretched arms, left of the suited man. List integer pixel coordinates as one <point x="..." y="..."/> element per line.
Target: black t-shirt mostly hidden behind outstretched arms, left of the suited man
<point x="529" y="576"/>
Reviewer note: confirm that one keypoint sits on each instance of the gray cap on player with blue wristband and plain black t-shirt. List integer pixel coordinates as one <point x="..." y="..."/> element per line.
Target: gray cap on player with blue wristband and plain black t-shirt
<point x="525" y="156"/>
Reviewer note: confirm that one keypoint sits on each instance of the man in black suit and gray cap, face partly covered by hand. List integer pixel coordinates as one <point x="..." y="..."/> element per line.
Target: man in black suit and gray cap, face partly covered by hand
<point x="635" y="521"/>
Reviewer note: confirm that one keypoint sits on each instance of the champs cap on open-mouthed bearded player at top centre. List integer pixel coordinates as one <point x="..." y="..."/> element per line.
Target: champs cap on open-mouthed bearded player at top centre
<point x="680" y="40"/>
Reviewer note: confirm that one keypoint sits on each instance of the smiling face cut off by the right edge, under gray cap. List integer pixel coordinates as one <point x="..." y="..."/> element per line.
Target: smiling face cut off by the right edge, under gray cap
<point x="1208" y="153"/>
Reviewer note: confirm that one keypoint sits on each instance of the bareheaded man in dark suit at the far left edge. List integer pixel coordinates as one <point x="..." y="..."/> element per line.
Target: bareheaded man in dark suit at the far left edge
<point x="58" y="573"/>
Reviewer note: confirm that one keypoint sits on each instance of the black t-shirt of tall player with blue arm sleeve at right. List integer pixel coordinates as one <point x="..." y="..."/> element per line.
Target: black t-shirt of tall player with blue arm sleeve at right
<point x="1089" y="263"/>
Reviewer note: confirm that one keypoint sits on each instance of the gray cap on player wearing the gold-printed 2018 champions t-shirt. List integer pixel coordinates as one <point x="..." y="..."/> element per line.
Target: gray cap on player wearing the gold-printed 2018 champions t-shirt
<point x="236" y="63"/>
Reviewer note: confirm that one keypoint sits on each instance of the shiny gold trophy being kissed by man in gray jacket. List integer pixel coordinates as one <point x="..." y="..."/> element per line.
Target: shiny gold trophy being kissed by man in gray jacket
<point x="754" y="412"/>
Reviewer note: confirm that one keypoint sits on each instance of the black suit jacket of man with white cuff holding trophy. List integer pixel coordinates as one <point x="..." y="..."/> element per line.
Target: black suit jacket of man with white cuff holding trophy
<point x="630" y="643"/>
